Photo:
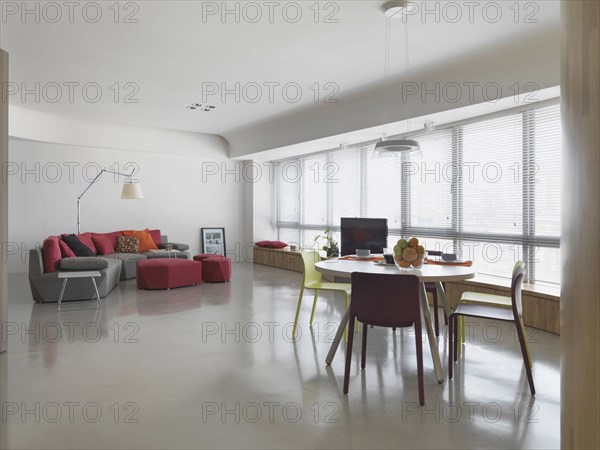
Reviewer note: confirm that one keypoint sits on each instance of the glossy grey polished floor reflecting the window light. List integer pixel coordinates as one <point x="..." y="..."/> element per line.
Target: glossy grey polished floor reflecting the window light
<point x="213" y="366"/>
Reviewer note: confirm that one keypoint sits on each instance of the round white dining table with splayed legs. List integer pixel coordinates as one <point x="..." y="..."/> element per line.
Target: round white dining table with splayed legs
<point x="343" y="269"/>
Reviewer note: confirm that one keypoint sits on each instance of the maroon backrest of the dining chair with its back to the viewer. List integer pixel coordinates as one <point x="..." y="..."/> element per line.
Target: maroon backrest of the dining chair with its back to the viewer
<point x="385" y="300"/>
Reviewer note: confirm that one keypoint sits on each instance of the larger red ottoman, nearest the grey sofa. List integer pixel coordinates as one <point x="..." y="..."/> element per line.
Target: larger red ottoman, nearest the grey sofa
<point x="167" y="273"/>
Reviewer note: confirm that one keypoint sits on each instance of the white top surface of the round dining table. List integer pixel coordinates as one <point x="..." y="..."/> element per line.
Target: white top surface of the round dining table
<point x="427" y="273"/>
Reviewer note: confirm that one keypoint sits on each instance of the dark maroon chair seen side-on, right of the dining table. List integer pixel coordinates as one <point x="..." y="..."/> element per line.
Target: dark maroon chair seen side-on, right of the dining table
<point x="514" y="315"/>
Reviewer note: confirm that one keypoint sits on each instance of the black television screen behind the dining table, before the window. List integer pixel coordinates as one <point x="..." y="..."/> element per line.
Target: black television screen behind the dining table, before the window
<point x="363" y="233"/>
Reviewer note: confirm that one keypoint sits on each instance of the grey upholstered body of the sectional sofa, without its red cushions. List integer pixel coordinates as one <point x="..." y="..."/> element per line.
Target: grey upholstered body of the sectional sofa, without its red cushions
<point x="45" y="286"/>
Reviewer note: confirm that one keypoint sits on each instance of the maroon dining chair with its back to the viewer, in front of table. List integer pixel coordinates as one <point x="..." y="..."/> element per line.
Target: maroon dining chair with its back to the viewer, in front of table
<point x="385" y="301"/>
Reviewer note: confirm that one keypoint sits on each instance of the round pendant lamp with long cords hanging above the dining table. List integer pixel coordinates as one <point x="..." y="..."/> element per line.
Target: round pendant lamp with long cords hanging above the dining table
<point x="394" y="147"/>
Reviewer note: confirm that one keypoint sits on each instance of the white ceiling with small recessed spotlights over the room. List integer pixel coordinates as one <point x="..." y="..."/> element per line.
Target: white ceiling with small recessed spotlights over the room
<point x="173" y="50"/>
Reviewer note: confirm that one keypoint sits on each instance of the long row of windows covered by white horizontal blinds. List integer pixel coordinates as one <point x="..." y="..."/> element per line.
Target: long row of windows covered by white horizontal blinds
<point x="487" y="189"/>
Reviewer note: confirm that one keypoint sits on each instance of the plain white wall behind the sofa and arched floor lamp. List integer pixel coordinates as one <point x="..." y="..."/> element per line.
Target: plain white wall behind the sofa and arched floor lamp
<point x="43" y="195"/>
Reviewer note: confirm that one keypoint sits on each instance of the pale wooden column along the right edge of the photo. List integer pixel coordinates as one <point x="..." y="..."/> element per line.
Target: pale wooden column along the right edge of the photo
<point x="580" y="242"/>
